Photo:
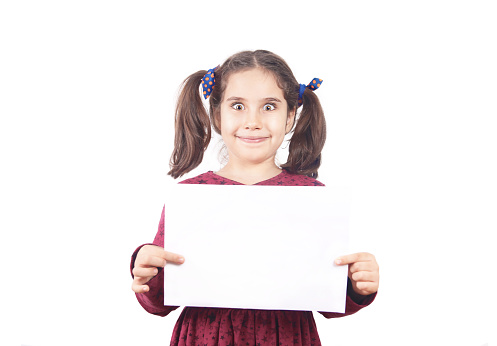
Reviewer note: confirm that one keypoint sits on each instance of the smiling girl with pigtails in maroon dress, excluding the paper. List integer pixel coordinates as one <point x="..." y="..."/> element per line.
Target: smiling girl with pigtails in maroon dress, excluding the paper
<point x="253" y="100"/>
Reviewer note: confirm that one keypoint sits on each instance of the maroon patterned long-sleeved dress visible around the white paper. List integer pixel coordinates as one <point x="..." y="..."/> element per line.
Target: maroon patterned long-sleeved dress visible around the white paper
<point x="220" y="326"/>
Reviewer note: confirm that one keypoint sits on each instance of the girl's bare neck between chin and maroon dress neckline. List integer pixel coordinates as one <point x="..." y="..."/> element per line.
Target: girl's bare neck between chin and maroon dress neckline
<point x="249" y="174"/>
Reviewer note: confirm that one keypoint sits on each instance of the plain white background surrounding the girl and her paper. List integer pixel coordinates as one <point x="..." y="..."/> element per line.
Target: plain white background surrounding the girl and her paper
<point x="87" y="92"/>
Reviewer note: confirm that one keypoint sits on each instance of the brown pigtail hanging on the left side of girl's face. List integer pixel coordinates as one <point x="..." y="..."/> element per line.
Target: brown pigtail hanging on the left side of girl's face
<point x="192" y="128"/>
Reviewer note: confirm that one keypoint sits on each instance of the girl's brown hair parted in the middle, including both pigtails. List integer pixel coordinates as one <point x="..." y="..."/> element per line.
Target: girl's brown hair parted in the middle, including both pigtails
<point x="193" y="124"/>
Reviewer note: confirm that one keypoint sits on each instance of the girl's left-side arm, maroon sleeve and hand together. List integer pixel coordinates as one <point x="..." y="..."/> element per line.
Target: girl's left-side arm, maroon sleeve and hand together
<point x="147" y="263"/>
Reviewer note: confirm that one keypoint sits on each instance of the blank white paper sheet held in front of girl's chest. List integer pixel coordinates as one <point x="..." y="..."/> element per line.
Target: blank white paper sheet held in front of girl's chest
<point x="256" y="247"/>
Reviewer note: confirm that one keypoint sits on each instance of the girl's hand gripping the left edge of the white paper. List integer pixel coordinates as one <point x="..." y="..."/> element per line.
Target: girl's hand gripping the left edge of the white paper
<point x="148" y="259"/>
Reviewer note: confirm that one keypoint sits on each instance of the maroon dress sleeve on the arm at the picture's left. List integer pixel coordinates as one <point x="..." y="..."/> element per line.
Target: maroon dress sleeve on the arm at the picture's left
<point x="153" y="300"/>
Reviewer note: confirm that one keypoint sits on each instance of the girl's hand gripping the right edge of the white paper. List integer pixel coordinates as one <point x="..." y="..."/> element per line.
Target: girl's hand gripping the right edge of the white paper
<point x="363" y="272"/>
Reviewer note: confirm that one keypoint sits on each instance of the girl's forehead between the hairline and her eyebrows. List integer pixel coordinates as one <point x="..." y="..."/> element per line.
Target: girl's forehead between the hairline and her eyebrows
<point x="254" y="83"/>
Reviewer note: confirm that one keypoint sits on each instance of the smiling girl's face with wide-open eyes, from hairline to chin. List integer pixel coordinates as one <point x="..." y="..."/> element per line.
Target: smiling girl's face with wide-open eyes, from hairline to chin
<point x="254" y="117"/>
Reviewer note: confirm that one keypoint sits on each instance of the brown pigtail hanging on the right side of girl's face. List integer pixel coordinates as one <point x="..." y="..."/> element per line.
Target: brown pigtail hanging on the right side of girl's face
<point x="308" y="138"/>
